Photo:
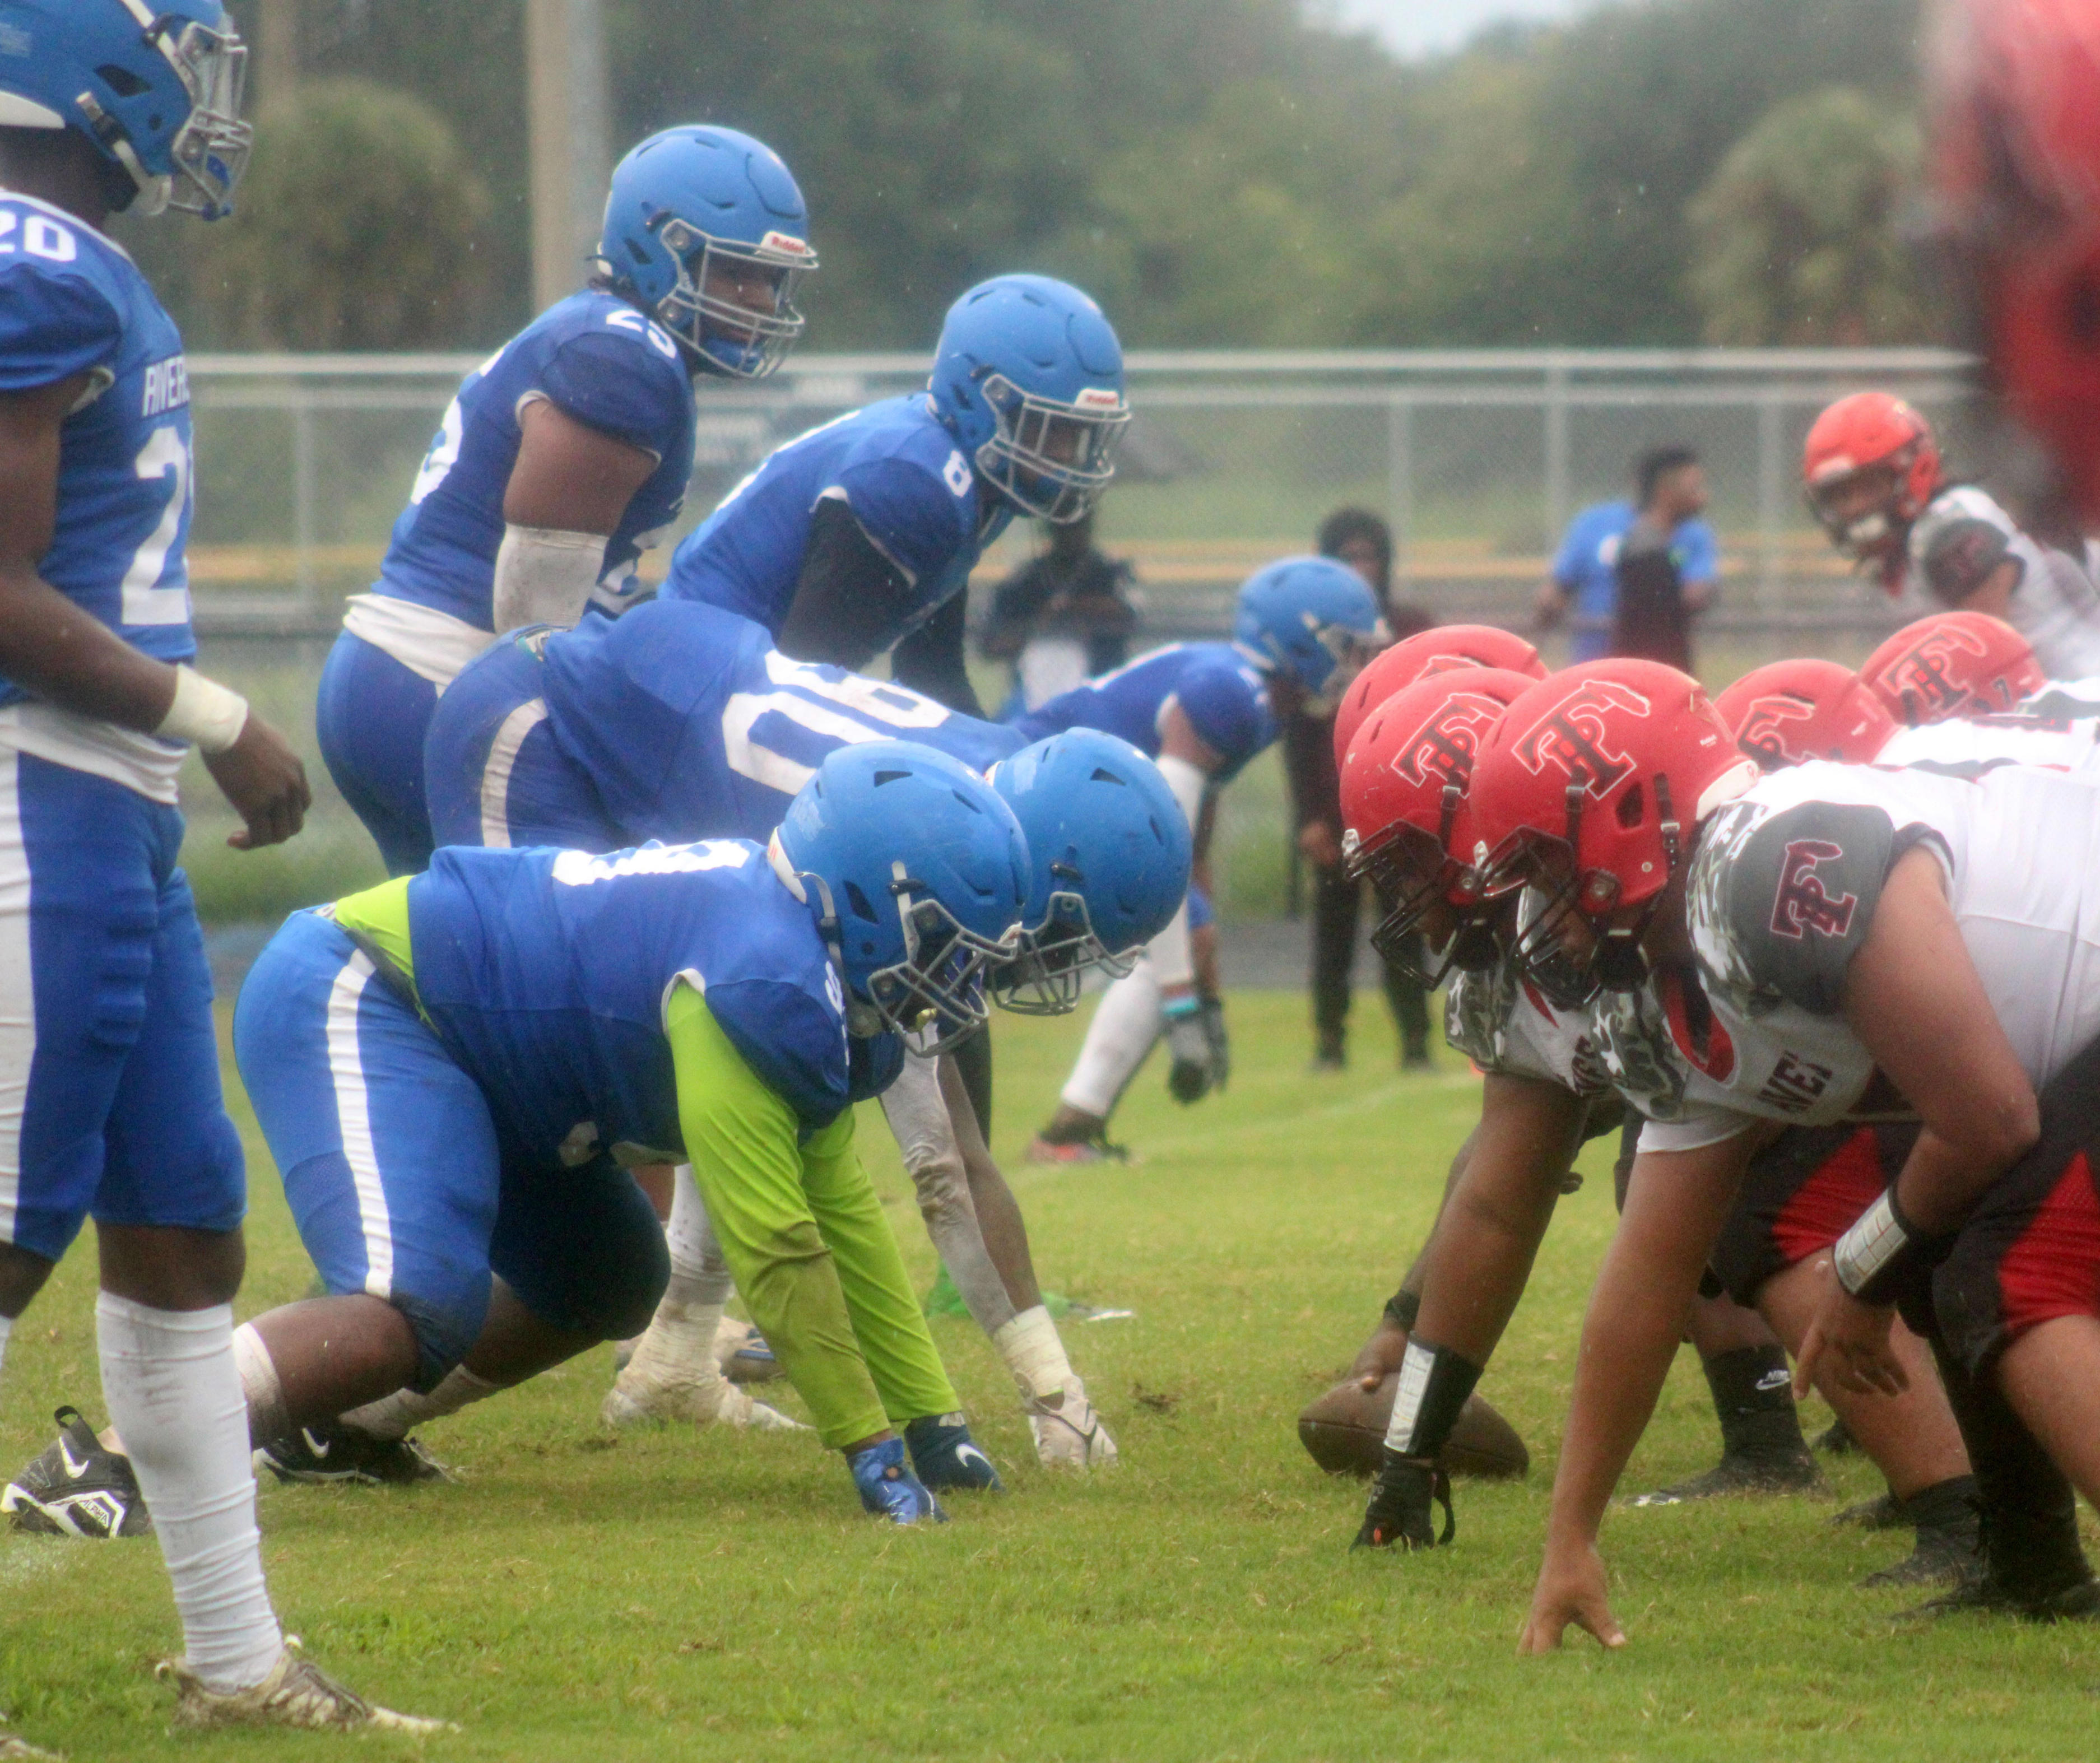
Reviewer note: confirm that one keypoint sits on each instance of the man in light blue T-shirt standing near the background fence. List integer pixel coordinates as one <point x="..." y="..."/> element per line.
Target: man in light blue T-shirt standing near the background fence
<point x="1675" y="566"/>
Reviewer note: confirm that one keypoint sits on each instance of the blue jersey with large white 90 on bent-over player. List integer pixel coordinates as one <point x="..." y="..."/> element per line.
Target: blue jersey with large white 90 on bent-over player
<point x="694" y="725"/>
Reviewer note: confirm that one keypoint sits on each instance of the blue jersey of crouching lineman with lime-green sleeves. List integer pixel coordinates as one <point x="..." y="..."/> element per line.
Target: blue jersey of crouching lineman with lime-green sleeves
<point x="549" y="973"/>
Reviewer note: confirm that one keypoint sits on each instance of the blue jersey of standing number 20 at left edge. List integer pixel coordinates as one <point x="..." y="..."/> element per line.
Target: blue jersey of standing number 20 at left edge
<point x="75" y="303"/>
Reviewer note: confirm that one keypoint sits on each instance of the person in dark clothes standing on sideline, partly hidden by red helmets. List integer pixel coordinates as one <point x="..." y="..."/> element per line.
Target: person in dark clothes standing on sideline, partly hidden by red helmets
<point x="1364" y="543"/>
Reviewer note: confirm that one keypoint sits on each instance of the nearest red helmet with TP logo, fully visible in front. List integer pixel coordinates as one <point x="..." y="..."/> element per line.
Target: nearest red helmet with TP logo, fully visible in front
<point x="1589" y="794"/>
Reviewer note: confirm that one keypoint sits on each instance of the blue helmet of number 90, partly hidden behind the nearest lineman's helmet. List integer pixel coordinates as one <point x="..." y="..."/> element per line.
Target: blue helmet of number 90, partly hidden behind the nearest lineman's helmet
<point x="1110" y="864"/>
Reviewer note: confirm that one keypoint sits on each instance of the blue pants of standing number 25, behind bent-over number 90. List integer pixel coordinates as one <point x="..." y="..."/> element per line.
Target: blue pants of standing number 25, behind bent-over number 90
<point x="371" y="719"/>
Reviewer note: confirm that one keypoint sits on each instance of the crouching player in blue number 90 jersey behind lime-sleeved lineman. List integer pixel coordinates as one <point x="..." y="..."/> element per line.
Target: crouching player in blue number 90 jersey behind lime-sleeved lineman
<point x="681" y="721"/>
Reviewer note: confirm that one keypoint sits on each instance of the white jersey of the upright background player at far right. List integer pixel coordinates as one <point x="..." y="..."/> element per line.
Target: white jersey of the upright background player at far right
<point x="2055" y="603"/>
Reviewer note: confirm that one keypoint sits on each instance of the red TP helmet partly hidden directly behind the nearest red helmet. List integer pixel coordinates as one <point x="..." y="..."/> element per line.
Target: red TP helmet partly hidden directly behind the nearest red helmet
<point x="1404" y="809"/>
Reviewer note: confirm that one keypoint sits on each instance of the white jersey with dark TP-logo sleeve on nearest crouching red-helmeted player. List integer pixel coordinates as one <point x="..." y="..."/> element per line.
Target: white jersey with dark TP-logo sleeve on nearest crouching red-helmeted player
<point x="1780" y="897"/>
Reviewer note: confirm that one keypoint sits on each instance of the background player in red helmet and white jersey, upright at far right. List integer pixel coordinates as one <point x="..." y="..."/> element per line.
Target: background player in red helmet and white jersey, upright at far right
<point x="1878" y="486"/>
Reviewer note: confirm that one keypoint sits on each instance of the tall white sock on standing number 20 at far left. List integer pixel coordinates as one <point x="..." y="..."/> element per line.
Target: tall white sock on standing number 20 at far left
<point x="175" y="1395"/>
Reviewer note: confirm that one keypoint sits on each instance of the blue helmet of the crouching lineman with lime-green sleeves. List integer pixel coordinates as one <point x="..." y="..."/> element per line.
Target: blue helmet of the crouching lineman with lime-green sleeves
<point x="919" y="874"/>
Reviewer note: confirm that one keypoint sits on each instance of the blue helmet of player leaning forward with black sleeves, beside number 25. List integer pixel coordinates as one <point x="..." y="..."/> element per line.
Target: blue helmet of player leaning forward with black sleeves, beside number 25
<point x="1030" y="379"/>
